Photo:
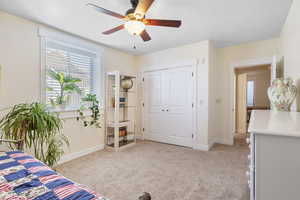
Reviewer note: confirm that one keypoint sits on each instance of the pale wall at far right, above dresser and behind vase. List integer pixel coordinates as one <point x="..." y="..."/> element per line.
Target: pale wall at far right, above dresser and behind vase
<point x="290" y="40"/>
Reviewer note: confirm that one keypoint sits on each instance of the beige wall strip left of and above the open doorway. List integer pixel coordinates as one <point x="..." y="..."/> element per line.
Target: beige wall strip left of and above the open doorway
<point x="225" y="58"/>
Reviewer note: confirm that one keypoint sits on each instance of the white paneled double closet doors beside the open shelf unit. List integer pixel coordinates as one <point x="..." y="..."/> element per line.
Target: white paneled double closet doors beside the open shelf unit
<point x="173" y="112"/>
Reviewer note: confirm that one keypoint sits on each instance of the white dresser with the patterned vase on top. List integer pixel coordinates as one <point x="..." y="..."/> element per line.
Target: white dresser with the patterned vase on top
<point x="274" y="160"/>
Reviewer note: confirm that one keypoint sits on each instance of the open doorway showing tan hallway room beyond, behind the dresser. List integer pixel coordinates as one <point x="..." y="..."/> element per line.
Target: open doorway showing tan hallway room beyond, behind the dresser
<point x="252" y="84"/>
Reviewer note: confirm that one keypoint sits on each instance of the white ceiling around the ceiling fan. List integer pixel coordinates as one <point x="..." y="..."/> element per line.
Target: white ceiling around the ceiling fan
<point x="227" y="22"/>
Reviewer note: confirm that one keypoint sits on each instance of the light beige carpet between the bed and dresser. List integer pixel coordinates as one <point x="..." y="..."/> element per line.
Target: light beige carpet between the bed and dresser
<point x="167" y="172"/>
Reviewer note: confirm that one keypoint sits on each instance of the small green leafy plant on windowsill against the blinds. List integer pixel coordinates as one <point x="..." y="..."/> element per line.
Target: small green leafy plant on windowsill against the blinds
<point x="68" y="85"/>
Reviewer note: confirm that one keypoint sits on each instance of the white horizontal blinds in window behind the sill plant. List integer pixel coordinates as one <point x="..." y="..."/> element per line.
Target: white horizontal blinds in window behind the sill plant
<point x="71" y="61"/>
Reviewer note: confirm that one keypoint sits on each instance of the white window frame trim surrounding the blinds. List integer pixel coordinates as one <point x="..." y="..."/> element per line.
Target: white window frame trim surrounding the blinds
<point x="68" y="40"/>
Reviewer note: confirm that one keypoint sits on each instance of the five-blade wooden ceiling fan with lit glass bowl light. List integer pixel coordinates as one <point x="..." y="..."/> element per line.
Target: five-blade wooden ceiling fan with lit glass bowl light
<point x="135" y="21"/>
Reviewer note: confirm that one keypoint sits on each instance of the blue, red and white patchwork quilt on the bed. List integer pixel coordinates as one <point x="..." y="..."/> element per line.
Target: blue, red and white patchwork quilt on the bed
<point x="24" y="178"/>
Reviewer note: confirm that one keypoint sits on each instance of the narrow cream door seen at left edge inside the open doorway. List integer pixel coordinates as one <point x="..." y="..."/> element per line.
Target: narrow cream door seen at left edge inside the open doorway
<point x="241" y="103"/>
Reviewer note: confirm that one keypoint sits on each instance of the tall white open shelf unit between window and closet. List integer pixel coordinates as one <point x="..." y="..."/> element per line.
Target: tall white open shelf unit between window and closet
<point x="120" y="108"/>
